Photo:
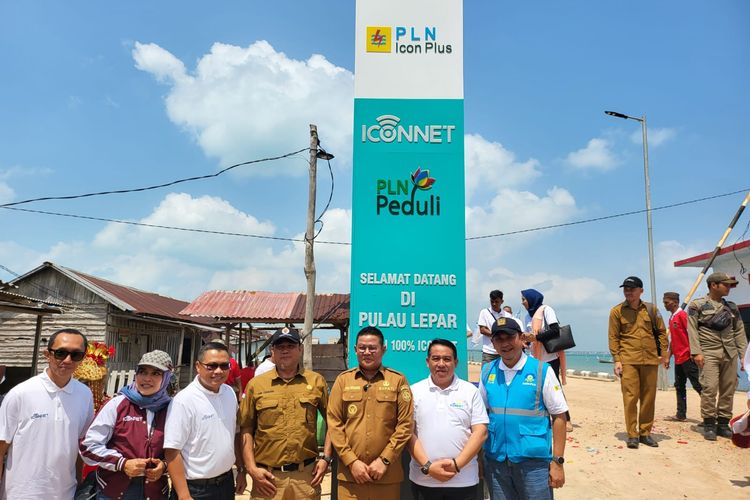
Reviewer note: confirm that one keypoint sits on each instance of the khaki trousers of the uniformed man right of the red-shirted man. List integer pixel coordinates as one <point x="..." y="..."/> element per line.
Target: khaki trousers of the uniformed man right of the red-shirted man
<point x="719" y="376"/>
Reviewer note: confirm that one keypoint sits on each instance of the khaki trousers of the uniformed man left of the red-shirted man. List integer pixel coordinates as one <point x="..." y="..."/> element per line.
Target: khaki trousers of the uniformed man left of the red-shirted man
<point x="638" y="383"/>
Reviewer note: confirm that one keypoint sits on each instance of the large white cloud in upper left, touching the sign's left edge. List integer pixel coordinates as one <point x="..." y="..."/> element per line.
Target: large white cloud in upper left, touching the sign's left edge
<point x="250" y="102"/>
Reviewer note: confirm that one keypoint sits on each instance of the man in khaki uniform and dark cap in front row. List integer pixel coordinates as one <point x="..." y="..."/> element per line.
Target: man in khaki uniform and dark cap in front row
<point x="278" y="420"/>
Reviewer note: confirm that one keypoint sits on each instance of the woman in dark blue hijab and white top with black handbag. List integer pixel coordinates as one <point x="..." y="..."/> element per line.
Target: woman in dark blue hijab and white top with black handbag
<point x="541" y="324"/>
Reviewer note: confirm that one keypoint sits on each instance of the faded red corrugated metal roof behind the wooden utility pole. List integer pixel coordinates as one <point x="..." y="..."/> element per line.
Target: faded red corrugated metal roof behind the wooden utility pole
<point x="256" y="306"/>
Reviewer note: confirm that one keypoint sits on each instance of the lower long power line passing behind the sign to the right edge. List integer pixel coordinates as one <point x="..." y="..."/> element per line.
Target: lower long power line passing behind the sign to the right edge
<point x="301" y="240"/>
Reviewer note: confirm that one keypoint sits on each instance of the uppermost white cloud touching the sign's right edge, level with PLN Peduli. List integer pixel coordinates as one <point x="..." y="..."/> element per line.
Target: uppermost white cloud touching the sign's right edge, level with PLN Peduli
<point x="489" y="165"/>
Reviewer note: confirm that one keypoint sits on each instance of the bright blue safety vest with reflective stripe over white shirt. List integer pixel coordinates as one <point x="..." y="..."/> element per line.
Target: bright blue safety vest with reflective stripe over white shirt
<point x="520" y="427"/>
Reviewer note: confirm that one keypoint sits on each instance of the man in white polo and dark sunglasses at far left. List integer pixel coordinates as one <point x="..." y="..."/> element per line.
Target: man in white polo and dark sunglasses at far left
<point x="41" y="422"/>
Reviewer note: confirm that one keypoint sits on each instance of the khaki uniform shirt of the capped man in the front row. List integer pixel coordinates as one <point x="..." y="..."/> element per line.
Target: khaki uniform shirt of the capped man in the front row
<point x="282" y="416"/>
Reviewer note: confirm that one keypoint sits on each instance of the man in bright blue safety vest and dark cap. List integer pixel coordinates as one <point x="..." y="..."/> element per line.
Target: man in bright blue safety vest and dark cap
<point x="524" y="450"/>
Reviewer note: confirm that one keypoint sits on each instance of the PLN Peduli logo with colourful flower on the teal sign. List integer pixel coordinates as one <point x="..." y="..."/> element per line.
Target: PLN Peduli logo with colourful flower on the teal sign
<point x="394" y="196"/>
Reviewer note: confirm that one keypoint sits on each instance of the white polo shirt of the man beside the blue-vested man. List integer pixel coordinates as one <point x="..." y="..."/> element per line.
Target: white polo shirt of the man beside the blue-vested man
<point x="442" y="421"/>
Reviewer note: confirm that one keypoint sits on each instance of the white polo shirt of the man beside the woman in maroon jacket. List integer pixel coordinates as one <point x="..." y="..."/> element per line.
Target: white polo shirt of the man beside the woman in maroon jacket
<point x="202" y="424"/>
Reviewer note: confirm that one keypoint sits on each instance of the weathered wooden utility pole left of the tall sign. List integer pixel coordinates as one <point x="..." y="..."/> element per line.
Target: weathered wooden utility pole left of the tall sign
<point x="309" y="257"/>
